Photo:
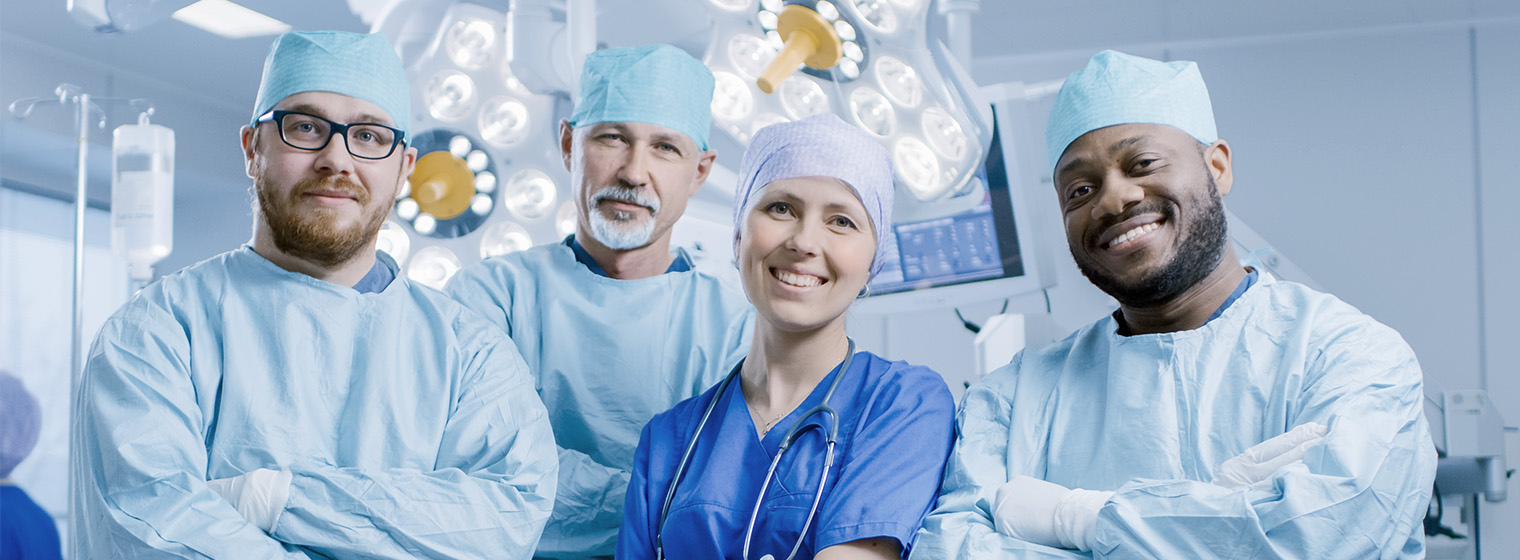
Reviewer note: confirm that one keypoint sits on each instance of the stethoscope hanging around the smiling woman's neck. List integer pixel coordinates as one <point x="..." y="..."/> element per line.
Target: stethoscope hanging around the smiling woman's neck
<point x="791" y="436"/>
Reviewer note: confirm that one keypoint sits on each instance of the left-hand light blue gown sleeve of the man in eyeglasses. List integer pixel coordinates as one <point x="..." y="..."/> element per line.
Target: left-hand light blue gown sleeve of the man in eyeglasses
<point x="139" y="460"/>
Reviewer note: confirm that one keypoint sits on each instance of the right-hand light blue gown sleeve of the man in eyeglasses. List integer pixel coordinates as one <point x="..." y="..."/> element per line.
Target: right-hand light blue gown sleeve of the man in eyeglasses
<point x="490" y="494"/>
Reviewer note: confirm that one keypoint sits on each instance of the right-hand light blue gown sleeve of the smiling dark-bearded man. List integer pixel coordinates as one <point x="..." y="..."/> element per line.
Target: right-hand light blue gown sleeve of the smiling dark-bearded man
<point x="1360" y="495"/>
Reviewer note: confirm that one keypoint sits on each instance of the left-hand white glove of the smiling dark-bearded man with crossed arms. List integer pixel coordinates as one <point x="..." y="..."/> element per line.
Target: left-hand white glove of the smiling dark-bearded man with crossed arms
<point x="1048" y="514"/>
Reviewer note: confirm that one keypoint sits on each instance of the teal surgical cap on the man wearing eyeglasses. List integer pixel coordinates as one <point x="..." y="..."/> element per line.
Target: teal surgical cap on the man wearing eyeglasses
<point x="352" y="65"/>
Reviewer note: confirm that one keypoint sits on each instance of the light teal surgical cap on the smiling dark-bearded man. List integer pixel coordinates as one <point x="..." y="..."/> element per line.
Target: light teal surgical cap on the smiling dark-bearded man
<point x="1118" y="89"/>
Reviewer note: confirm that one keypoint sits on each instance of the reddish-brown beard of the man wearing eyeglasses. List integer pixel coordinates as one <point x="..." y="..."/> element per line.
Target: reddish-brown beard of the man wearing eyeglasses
<point x="315" y="238"/>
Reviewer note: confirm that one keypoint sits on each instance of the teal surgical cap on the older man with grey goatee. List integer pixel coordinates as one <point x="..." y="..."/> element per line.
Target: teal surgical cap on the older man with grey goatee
<point x="653" y="84"/>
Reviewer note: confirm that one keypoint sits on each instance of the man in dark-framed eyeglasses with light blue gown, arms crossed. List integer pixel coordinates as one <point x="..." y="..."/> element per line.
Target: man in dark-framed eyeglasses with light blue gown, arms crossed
<point x="299" y="398"/>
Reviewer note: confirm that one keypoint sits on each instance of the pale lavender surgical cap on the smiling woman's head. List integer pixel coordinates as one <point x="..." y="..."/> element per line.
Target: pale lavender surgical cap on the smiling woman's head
<point x="820" y="147"/>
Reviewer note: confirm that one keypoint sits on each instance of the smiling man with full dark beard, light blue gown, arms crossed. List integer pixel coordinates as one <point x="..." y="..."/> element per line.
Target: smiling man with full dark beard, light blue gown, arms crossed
<point x="1220" y="413"/>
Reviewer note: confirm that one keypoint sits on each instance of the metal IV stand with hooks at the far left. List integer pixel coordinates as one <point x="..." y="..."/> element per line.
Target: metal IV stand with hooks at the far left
<point x="66" y="95"/>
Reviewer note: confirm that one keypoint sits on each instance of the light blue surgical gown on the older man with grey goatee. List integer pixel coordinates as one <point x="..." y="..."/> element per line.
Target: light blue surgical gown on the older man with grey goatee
<point x="607" y="357"/>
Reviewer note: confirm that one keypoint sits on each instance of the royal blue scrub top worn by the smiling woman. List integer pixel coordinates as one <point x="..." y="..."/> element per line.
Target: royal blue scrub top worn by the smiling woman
<point x="896" y="428"/>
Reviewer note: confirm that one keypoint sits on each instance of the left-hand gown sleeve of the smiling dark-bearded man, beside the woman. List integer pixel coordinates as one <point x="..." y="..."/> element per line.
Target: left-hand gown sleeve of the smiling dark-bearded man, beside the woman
<point x="961" y="524"/>
